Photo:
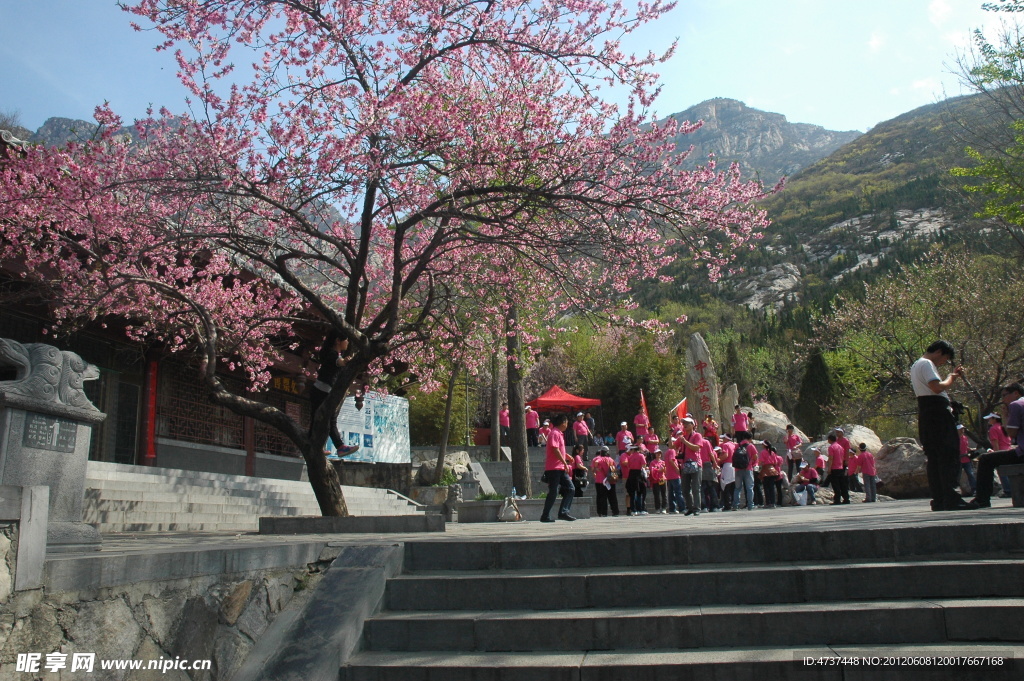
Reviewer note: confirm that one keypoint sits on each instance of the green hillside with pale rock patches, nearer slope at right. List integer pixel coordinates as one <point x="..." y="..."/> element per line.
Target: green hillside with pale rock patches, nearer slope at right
<point x="882" y="198"/>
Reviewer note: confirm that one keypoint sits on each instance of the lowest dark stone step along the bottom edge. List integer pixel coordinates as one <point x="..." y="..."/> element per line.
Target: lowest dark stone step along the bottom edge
<point x="895" y="663"/>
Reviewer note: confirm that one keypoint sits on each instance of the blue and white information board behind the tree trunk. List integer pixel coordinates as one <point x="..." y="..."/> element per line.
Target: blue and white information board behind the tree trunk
<point x="380" y="429"/>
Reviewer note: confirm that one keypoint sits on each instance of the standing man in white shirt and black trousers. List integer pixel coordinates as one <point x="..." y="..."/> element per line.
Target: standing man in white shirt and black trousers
<point x="937" y="428"/>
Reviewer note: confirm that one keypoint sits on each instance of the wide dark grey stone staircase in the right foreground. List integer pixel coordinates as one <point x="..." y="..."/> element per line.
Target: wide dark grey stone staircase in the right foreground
<point x="736" y="606"/>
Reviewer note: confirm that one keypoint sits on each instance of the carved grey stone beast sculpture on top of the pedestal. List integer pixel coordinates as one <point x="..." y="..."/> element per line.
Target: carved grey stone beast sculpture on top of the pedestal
<point x="47" y="374"/>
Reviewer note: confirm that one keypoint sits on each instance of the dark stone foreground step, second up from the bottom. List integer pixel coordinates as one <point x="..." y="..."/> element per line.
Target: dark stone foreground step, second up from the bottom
<point x="887" y="622"/>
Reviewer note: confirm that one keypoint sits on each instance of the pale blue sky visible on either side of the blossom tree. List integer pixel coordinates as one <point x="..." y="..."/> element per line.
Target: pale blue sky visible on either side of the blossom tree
<point x="844" y="66"/>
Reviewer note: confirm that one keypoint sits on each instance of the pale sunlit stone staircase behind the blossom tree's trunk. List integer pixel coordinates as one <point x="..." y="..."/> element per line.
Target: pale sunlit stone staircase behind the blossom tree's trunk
<point x="121" y="498"/>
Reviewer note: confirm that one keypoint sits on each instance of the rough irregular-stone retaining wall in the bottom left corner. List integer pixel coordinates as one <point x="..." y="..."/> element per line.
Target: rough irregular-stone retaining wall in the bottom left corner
<point x="217" y="618"/>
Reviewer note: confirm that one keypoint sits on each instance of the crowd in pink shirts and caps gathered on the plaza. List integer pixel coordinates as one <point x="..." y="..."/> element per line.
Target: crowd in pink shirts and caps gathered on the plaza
<point x="697" y="469"/>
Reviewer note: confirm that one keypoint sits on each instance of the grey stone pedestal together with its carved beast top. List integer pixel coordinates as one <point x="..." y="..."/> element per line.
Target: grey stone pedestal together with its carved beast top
<point x="46" y="430"/>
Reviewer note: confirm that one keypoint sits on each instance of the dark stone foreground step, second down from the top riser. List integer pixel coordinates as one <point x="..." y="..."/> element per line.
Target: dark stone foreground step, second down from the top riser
<point x="745" y="584"/>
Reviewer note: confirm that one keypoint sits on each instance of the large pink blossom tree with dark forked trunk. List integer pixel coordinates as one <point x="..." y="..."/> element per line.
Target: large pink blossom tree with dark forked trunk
<point x="373" y="165"/>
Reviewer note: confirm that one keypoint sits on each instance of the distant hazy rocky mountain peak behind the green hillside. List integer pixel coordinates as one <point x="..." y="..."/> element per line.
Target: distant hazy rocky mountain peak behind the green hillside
<point x="765" y="145"/>
